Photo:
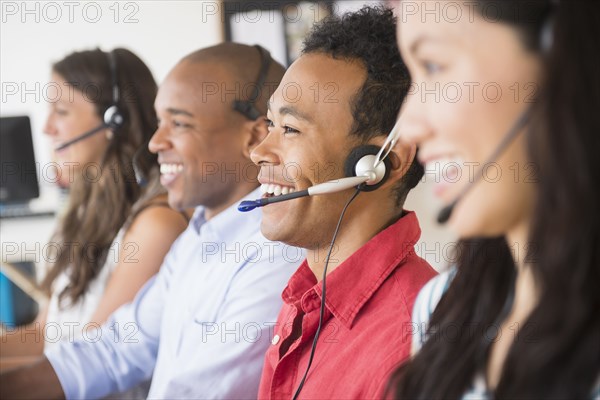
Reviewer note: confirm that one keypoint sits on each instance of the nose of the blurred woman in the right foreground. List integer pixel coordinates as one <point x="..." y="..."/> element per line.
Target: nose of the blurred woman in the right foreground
<point x="413" y="124"/>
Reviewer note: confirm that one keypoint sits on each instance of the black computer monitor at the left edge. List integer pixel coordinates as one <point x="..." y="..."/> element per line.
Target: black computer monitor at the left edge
<point x="18" y="173"/>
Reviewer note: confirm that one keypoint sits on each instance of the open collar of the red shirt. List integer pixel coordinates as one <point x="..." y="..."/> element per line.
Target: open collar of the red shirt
<point x="355" y="281"/>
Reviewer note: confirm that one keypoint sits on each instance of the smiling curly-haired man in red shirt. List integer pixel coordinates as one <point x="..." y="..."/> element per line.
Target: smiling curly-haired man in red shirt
<point x="344" y="91"/>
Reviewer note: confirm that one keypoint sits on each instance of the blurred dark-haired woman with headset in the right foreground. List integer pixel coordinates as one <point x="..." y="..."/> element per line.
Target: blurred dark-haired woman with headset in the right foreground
<point x="519" y="316"/>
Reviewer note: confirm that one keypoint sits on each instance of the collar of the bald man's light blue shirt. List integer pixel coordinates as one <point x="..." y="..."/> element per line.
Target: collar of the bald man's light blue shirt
<point x="226" y="224"/>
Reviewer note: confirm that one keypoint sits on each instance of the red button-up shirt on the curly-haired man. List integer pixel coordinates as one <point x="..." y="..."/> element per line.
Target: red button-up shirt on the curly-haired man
<point x="367" y="327"/>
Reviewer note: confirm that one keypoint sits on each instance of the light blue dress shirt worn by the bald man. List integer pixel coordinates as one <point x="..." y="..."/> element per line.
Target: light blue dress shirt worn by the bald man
<point x="200" y="327"/>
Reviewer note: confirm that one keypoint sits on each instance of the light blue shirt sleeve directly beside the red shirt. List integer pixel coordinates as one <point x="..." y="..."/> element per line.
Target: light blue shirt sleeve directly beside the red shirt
<point x="239" y="335"/>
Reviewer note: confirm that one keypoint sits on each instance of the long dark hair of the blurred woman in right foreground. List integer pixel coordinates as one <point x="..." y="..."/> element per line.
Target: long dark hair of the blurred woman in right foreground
<point x="557" y="351"/>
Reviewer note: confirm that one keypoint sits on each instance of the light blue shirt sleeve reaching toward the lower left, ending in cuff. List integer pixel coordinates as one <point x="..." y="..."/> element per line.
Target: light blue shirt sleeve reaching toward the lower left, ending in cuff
<point x="122" y="352"/>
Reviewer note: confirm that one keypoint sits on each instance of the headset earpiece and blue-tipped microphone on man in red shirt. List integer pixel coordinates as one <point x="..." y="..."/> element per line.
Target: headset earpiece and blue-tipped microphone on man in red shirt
<point x="360" y="162"/>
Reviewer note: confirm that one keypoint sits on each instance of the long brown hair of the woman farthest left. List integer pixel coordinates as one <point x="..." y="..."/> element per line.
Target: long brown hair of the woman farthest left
<point x="99" y="207"/>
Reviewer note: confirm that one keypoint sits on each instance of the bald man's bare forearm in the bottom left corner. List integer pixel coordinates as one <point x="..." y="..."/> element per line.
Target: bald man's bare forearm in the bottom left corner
<point x="35" y="381"/>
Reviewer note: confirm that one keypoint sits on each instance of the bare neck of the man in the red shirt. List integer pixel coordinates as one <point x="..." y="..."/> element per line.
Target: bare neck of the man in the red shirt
<point x="361" y="223"/>
